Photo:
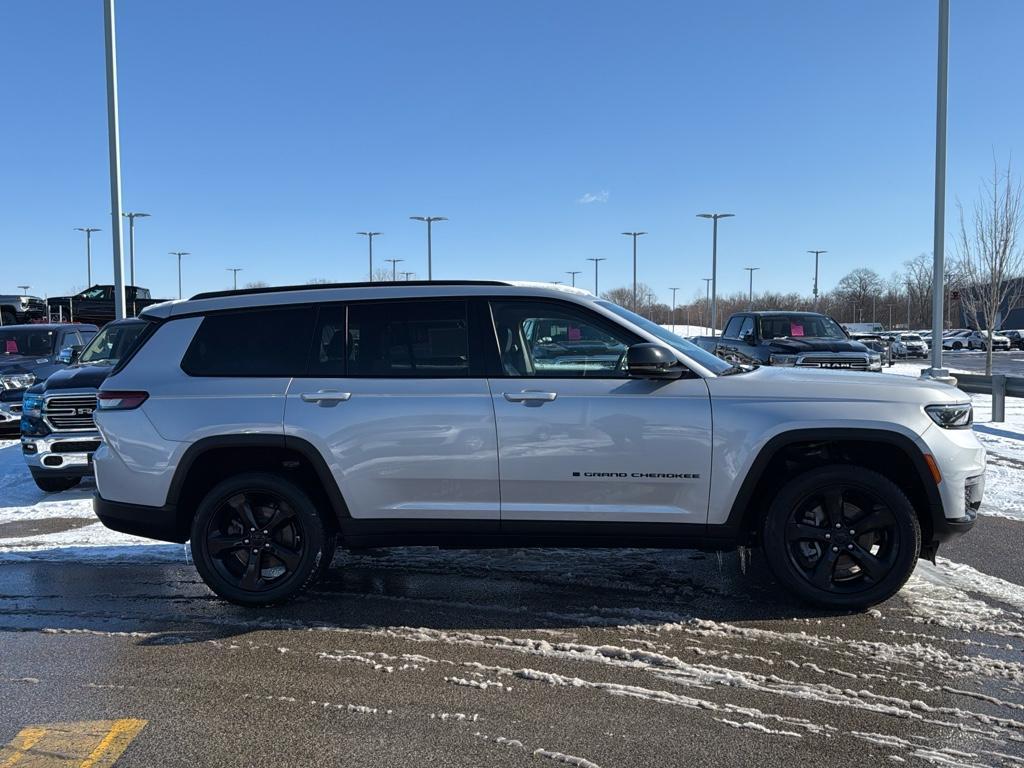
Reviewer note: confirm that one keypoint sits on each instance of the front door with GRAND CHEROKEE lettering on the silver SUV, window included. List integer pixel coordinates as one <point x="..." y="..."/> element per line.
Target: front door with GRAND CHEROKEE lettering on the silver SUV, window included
<point x="578" y="440"/>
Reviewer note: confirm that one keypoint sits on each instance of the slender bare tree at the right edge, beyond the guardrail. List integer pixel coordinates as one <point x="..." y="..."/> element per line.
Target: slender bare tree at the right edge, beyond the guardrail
<point x="990" y="255"/>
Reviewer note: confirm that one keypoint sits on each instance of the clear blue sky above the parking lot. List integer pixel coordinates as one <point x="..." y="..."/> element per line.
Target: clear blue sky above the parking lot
<point x="264" y="135"/>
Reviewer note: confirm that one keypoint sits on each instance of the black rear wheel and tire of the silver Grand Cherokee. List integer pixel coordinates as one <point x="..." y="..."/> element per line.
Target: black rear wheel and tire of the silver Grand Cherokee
<point x="291" y="552"/>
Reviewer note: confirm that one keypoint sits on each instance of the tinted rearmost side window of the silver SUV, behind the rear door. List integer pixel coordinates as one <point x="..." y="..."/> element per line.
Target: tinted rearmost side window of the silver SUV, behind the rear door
<point x="252" y="343"/>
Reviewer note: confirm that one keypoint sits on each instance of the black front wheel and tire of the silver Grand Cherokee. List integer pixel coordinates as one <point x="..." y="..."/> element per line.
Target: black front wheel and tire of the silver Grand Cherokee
<point x="862" y="570"/>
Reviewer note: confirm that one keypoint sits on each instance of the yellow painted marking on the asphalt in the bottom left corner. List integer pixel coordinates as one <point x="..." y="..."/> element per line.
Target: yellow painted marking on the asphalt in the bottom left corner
<point x="96" y="744"/>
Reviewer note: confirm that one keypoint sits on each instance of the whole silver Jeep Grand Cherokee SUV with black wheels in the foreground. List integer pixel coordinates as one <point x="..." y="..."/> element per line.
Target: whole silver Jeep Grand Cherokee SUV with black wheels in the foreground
<point x="267" y="425"/>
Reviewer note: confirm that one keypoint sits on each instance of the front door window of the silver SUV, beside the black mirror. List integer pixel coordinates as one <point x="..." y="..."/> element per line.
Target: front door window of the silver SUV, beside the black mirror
<point x="547" y="339"/>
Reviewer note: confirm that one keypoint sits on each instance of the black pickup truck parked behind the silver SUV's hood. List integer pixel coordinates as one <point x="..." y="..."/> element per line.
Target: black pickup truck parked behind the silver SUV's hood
<point x="781" y="338"/>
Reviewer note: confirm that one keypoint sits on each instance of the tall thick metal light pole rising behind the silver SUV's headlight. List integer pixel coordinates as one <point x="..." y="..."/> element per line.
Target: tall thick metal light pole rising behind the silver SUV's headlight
<point x="938" y="244"/>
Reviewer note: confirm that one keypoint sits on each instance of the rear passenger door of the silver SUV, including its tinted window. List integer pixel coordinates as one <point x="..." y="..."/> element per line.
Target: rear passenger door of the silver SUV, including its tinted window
<point x="395" y="401"/>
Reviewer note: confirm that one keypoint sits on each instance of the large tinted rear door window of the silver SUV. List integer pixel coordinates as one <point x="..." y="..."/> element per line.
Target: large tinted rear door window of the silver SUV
<point x="409" y="338"/>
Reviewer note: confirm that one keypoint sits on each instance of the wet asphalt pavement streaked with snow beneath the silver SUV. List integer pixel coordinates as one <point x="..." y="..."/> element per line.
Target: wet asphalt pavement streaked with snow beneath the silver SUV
<point x="505" y="659"/>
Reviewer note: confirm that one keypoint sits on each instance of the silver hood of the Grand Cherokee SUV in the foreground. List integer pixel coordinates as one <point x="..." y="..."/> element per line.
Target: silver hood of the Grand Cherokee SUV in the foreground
<point x="777" y="383"/>
